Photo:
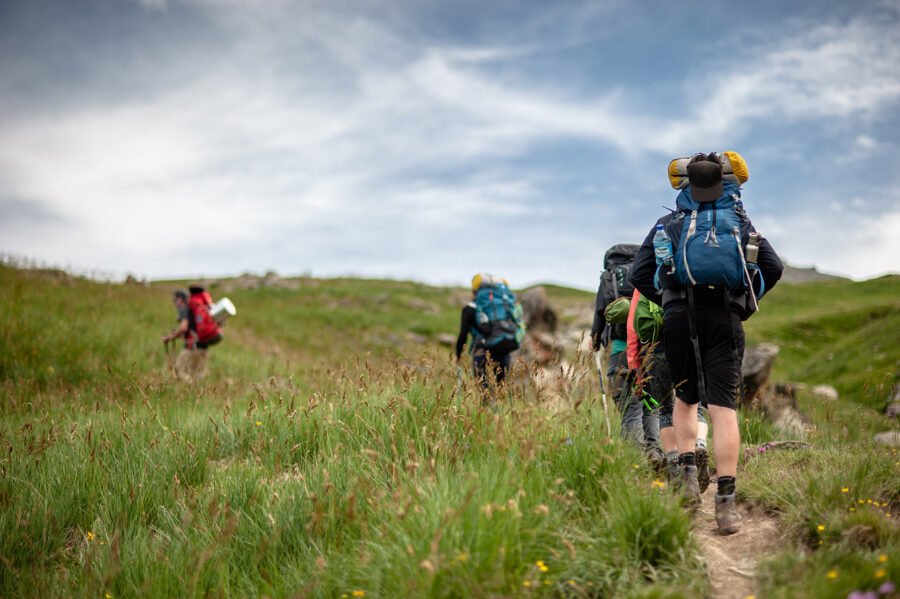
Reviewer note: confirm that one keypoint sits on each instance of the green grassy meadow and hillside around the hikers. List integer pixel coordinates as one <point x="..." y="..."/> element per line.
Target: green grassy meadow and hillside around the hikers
<point x="335" y="451"/>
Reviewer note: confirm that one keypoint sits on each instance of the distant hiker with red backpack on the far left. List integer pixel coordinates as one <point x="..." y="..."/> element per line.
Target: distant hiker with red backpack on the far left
<point x="198" y="328"/>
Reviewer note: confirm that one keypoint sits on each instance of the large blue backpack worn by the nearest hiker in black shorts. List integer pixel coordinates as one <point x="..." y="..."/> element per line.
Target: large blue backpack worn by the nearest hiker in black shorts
<point x="709" y="239"/>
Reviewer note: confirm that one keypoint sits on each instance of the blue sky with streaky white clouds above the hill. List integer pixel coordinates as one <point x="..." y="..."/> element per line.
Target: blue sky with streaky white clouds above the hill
<point x="430" y="140"/>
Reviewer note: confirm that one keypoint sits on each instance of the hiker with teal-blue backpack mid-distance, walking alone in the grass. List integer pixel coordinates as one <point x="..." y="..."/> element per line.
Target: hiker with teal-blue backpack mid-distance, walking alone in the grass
<point x="494" y="321"/>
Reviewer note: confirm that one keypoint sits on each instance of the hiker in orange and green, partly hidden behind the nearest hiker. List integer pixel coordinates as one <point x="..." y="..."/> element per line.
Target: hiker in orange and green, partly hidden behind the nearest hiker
<point x="647" y="362"/>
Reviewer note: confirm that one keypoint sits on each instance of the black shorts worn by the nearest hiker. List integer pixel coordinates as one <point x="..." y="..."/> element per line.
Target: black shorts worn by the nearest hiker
<point x="721" y="338"/>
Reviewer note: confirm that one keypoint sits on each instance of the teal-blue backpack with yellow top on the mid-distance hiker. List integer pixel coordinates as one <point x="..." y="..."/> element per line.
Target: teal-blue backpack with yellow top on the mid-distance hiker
<point x="499" y="324"/>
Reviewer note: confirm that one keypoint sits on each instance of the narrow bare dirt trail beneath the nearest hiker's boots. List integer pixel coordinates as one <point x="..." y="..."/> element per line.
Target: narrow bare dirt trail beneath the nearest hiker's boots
<point x="731" y="561"/>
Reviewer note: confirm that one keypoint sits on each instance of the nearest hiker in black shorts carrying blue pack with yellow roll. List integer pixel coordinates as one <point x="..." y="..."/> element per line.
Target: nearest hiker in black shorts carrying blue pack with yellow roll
<point x="707" y="267"/>
